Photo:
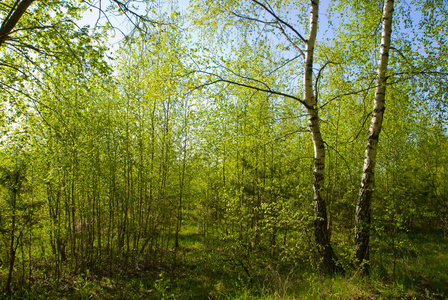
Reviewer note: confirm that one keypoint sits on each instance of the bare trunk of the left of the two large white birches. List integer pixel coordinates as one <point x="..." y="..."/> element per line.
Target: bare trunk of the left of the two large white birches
<point x="321" y="233"/>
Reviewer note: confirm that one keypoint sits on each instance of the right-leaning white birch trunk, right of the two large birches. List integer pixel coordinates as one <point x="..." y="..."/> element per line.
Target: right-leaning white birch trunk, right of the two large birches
<point x="362" y="230"/>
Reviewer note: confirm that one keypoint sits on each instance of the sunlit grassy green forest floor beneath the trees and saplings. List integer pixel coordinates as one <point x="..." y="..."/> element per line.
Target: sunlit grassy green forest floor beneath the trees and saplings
<point x="416" y="269"/>
